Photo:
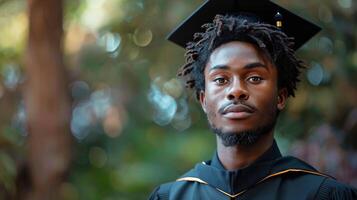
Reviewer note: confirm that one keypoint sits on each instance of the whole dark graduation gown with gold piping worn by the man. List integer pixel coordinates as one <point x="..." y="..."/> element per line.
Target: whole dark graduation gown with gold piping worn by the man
<point x="270" y="177"/>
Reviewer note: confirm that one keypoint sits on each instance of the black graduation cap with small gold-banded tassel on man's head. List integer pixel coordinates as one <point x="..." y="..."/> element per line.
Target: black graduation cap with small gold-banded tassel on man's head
<point x="265" y="10"/>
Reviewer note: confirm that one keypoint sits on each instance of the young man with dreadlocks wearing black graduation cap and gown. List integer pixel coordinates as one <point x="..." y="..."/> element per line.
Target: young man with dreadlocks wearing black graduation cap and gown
<point x="243" y="67"/>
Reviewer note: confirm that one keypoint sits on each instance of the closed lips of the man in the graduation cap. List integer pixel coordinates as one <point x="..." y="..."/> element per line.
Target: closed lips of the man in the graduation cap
<point x="237" y="111"/>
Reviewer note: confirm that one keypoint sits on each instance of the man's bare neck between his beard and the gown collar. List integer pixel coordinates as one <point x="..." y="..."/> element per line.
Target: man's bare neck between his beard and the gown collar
<point x="237" y="157"/>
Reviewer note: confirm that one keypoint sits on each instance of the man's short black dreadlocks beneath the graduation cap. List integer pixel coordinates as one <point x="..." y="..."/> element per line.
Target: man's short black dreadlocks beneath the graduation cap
<point x="275" y="43"/>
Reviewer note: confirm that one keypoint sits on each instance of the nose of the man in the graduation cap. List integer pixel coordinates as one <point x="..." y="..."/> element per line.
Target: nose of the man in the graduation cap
<point x="237" y="91"/>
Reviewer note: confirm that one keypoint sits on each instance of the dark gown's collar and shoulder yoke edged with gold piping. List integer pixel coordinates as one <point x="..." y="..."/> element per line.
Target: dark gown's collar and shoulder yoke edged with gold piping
<point x="234" y="183"/>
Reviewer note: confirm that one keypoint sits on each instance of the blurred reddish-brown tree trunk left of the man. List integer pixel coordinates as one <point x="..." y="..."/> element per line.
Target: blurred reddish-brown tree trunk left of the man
<point x="47" y="100"/>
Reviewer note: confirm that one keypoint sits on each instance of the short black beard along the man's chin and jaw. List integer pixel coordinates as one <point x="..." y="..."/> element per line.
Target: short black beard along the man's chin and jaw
<point x="246" y="137"/>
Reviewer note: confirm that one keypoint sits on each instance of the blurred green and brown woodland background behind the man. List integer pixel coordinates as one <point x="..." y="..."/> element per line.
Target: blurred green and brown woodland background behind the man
<point x="130" y="123"/>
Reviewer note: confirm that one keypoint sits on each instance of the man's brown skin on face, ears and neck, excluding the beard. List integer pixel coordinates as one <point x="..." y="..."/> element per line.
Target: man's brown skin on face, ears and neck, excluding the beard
<point x="241" y="93"/>
